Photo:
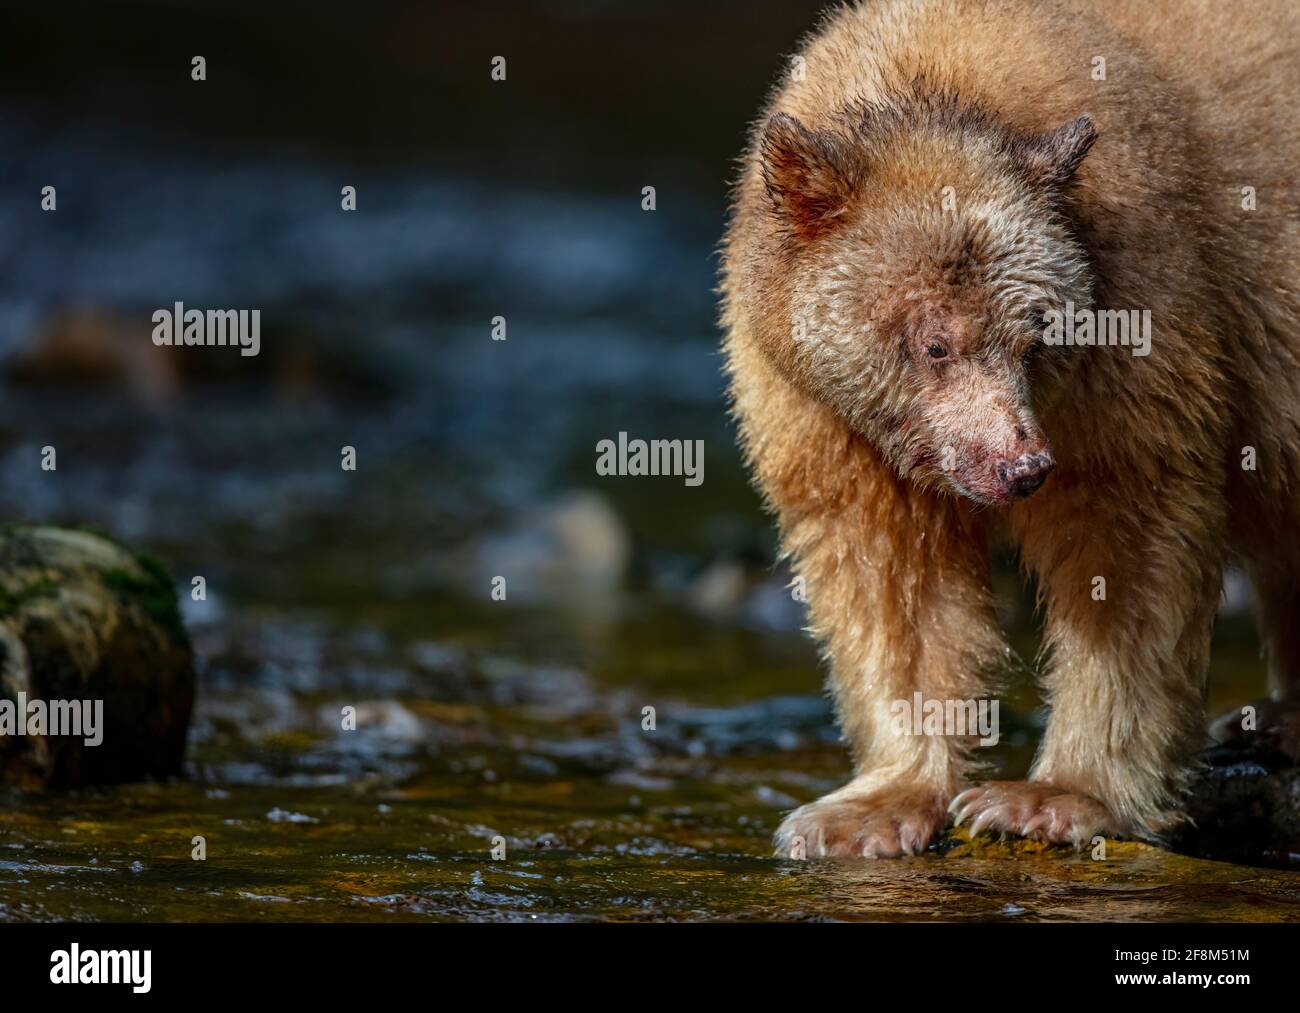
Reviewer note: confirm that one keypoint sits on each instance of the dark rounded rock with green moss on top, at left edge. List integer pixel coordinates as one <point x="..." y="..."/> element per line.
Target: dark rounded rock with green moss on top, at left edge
<point x="85" y="621"/>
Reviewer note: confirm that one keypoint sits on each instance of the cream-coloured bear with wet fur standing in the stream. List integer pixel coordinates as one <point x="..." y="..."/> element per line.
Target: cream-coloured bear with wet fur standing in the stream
<point x="931" y="188"/>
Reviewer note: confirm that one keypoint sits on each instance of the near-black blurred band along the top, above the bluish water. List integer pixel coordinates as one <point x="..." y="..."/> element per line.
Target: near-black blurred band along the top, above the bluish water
<point x="601" y="93"/>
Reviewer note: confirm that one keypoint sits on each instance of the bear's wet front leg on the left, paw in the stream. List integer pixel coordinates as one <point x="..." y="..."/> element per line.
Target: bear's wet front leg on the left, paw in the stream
<point x="899" y="596"/>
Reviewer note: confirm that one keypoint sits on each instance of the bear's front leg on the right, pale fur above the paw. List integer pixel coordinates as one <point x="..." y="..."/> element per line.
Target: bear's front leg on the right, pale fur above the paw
<point x="1132" y="585"/>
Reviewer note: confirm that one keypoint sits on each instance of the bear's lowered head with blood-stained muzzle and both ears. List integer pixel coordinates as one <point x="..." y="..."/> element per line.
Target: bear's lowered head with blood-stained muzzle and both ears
<point x="909" y="253"/>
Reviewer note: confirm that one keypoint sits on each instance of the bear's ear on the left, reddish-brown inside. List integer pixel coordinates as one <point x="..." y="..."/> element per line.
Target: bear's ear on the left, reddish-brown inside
<point x="809" y="175"/>
